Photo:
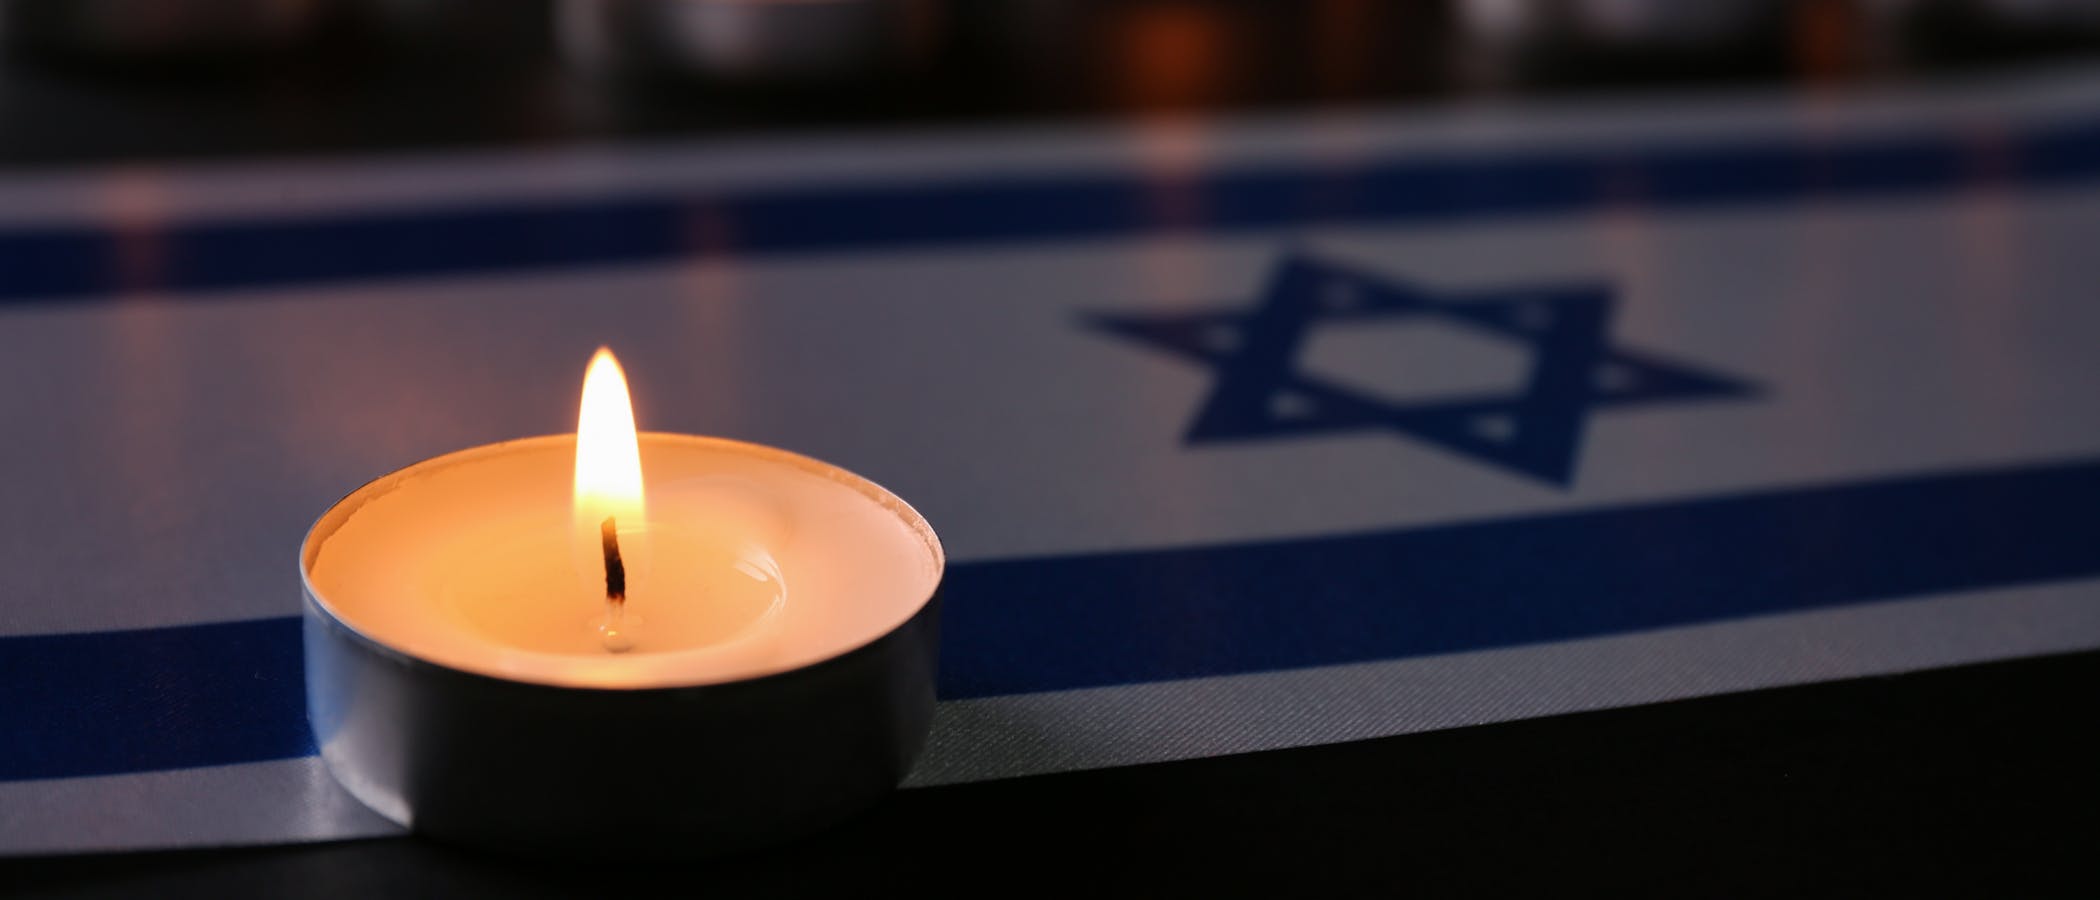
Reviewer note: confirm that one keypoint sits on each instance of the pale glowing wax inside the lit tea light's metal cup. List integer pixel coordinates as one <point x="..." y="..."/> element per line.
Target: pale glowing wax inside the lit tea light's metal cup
<point x="757" y="561"/>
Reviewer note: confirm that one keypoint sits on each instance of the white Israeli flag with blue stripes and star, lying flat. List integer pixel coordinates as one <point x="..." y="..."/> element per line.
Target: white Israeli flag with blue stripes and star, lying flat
<point x="1240" y="435"/>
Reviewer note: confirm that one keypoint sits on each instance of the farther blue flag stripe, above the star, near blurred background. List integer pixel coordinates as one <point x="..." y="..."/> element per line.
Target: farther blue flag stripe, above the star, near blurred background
<point x="524" y="236"/>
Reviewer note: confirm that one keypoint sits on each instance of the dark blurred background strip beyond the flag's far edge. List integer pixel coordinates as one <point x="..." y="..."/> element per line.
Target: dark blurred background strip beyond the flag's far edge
<point x="100" y="81"/>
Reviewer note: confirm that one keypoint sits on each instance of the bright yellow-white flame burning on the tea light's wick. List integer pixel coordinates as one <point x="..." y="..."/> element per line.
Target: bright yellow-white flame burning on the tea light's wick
<point x="608" y="454"/>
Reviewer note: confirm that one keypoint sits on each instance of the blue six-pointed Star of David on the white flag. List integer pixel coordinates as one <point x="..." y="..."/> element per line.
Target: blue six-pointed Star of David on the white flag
<point x="1536" y="431"/>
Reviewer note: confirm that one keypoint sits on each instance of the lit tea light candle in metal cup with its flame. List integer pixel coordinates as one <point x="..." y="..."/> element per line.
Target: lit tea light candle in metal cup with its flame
<point x="621" y="643"/>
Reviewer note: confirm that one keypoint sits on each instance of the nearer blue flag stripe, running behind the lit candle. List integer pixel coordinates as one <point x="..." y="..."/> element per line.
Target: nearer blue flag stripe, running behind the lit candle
<point x="129" y="702"/>
